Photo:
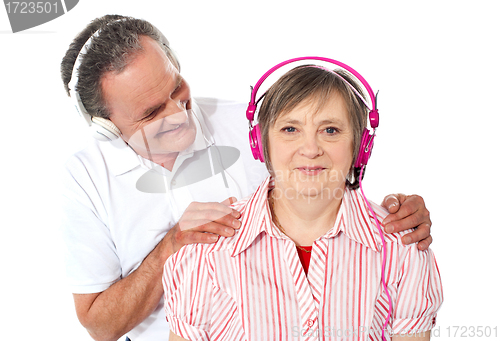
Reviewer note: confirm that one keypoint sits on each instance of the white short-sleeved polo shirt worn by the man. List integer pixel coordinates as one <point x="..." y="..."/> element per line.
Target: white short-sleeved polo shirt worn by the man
<point x="118" y="206"/>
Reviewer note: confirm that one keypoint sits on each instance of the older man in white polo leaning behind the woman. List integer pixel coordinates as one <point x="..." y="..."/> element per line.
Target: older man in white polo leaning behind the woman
<point x="165" y="179"/>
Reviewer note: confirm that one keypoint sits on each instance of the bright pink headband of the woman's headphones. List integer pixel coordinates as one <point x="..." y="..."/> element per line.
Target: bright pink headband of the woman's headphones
<point x="373" y="116"/>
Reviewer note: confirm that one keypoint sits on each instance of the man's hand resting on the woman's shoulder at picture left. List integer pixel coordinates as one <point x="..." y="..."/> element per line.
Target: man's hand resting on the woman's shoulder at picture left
<point x="204" y="223"/>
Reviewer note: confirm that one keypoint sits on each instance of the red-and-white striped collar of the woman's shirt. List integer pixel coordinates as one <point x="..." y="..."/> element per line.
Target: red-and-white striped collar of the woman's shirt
<point x="354" y="220"/>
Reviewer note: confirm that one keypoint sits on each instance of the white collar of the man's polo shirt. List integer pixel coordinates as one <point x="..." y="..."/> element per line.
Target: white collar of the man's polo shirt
<point x="121" y="158"/>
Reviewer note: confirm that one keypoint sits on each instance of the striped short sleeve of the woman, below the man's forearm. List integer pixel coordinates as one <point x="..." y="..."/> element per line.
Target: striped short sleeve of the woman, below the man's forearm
<point x="188" y="290"/>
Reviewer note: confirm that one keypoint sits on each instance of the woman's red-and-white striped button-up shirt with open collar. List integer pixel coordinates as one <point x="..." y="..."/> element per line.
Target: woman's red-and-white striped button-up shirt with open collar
<point x="253" y="287"/>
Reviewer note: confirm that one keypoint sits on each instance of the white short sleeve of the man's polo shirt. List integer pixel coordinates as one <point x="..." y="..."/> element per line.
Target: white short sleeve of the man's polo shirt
<point x="92" y="264"/>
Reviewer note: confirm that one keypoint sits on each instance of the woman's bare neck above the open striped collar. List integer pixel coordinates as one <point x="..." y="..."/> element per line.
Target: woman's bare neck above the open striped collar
<point x="304" y="219"/>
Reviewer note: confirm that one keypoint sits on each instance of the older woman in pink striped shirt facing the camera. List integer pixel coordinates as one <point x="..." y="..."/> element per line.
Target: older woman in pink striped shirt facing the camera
<point x="307" y="262"/>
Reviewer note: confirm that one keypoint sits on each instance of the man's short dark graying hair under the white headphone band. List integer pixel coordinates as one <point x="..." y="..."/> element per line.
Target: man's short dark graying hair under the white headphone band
<point x="116" y="45"/>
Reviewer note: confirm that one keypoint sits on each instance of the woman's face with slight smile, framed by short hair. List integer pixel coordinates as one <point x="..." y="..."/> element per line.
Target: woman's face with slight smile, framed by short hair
<point x="311" y="150"/>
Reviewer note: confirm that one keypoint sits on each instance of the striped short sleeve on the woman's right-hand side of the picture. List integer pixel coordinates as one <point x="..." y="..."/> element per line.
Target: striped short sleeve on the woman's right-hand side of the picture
<point x="419" y="293"/>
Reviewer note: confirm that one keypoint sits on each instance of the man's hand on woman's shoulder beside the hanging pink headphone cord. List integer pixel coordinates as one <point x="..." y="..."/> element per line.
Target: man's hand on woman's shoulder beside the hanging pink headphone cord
<point x="408" y="212"/>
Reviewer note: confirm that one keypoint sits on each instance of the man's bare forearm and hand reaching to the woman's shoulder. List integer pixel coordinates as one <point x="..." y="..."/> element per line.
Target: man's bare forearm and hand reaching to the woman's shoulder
<point x="115" y="311"/>
